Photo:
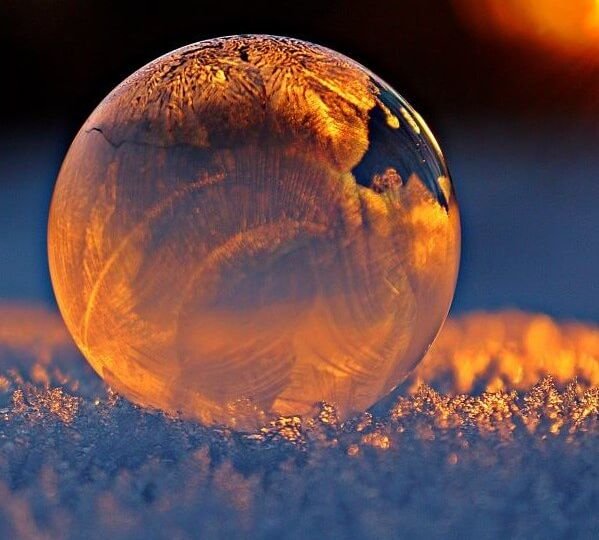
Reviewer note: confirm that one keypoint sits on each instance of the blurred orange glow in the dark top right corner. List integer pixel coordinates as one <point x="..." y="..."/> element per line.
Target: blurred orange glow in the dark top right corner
<point x="570" y="26"/>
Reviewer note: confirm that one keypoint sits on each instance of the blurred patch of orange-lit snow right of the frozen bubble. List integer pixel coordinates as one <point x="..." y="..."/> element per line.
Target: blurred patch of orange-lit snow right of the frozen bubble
<point x="510" y="350"/>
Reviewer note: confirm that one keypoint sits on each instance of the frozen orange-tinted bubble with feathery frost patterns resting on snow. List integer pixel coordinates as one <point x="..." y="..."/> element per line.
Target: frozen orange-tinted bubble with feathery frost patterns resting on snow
<point x="250" y="225"/>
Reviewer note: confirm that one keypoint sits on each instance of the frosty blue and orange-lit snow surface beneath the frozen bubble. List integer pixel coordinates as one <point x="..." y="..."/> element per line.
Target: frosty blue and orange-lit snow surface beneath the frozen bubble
<point x="514" y="455"/>
